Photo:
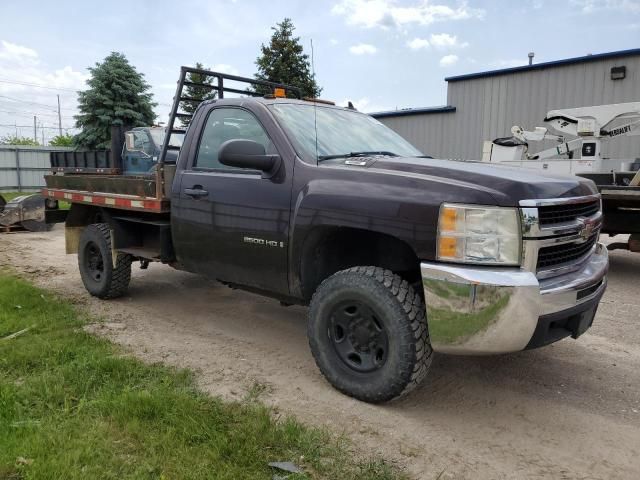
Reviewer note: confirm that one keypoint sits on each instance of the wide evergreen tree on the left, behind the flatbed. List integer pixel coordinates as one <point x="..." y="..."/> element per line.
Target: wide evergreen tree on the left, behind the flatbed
<point x="117" y="95"/>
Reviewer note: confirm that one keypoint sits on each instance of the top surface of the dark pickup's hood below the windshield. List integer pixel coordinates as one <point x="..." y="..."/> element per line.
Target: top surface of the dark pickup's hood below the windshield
<point x="507" y="185"/>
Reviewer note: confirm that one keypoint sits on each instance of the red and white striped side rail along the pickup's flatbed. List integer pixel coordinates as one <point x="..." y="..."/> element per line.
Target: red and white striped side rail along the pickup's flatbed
<point x="119" y="201"/>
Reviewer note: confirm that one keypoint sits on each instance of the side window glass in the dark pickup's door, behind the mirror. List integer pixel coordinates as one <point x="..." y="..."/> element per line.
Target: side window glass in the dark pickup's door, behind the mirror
<point x="228" y="124"/>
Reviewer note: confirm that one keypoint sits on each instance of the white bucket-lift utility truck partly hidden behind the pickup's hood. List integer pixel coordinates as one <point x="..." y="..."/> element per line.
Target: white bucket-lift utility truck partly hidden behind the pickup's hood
<point x="579" y="135"/>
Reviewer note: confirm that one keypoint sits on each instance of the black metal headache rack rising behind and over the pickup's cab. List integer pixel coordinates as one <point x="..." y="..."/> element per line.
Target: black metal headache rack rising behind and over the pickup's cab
<point x="220" y="88"/>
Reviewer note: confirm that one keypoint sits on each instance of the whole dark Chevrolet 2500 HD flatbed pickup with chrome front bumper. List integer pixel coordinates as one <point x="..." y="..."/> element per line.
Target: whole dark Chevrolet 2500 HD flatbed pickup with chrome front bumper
<point x="396" y="254"/>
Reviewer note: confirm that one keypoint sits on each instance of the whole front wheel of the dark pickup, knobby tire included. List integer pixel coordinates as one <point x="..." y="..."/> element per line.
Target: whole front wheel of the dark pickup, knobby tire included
<point x="368" y="334"/>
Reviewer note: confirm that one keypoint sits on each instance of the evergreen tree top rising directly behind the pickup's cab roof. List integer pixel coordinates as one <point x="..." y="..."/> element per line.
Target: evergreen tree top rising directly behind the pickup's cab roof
<point x="283" y="61"/>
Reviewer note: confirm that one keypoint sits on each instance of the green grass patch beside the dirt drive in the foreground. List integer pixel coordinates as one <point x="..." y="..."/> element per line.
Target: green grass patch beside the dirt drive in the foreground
<point x="73" y="406"/>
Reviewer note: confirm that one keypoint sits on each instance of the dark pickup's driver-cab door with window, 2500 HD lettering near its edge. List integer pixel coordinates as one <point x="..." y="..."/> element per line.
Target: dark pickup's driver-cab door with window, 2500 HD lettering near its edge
<point x="230" y="223"/>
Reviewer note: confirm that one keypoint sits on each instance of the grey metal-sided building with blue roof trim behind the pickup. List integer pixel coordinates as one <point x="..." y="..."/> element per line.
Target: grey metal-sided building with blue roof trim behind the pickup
<point x="484" y="106"/>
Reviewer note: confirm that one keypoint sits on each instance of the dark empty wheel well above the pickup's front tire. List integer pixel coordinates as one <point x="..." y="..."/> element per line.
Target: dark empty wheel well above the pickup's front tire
<point x="329" y="250"/>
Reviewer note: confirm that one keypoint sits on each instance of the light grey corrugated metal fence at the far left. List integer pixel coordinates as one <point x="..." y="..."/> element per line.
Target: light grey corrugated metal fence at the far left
<point x="24" y="167"/>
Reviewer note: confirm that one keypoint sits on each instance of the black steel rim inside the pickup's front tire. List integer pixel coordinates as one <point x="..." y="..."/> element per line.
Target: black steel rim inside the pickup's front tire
<point x="358" y="336"/>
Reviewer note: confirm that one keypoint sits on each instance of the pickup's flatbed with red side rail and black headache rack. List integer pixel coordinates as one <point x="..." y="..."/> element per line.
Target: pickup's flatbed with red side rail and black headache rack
<point x="96" y="177"/>
